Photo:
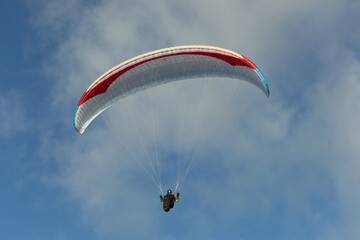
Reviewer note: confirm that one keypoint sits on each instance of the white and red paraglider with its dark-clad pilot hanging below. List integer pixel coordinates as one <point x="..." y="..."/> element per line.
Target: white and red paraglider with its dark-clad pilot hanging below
<point x="159" y="67"/>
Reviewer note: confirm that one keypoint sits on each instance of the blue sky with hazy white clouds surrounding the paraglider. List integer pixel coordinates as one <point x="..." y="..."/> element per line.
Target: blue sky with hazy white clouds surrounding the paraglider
<point x="283" y="167"/>
